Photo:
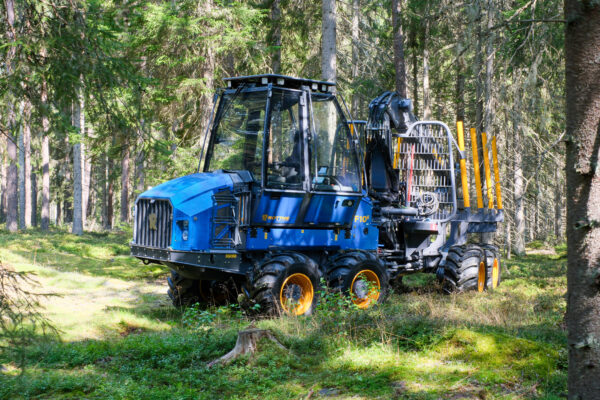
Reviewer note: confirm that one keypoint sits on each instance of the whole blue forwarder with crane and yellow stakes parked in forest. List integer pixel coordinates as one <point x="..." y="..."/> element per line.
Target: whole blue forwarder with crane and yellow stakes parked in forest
<point x="294" y="192"/>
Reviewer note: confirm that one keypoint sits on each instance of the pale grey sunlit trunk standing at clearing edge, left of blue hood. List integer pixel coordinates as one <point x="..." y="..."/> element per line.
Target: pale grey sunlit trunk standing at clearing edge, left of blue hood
<point x="78" y="161"/>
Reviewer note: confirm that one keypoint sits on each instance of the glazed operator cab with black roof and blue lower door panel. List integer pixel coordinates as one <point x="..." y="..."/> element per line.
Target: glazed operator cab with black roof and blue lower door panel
<point x="293" y="138"/>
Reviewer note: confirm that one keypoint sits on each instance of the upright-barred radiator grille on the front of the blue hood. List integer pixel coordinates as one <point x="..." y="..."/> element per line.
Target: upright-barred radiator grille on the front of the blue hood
<point x="153" y="223"/>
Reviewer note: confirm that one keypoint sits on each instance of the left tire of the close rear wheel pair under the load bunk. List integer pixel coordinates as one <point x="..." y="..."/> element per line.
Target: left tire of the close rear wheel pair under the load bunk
<point x="465" y="269"/>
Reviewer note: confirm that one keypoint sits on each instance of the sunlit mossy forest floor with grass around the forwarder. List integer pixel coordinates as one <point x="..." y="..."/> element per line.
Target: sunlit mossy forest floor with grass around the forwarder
<point x="119" y="337"/>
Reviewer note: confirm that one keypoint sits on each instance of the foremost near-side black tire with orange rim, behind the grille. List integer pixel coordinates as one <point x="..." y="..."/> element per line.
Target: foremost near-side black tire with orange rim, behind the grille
<point x="283" y="278"/>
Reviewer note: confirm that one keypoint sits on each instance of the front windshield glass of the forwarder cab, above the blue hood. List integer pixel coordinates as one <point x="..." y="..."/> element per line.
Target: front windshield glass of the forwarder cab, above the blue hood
<point x="237" y="142"/>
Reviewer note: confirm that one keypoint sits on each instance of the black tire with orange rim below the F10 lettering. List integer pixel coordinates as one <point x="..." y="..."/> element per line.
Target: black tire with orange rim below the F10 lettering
<point x="353" y="272"/>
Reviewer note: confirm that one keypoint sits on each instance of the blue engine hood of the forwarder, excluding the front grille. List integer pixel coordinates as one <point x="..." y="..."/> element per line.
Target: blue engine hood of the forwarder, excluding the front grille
<point x="192" y="199"/>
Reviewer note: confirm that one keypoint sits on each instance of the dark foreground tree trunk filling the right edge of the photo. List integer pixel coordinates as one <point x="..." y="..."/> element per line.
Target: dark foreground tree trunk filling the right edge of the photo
<point x="582" y="51"/>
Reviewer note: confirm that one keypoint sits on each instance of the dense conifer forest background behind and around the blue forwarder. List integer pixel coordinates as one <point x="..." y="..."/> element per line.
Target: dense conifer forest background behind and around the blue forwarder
<point x="100" y="100"/>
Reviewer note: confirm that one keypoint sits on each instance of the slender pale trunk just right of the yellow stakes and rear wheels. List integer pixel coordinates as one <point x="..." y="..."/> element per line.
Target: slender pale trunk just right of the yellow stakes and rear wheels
<point x="518" y="183"/>
